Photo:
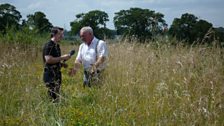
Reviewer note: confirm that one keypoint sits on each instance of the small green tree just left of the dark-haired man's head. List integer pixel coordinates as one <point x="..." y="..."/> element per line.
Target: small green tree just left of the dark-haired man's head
<point x="38" y="22"/>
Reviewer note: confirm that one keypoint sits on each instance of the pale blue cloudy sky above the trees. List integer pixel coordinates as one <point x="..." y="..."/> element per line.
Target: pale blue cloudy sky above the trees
<point x="61" y="13"/>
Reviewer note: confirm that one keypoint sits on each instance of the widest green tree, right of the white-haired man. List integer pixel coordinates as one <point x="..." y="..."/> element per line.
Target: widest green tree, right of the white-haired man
<point x="140" y="23"/>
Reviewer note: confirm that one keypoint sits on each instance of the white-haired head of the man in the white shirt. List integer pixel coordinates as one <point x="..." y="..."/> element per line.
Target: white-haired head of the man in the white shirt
<point x="86" y="34"/>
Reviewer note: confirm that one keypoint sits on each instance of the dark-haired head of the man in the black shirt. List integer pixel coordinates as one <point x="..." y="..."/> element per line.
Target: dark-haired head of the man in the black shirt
<point x="57" y="33"/>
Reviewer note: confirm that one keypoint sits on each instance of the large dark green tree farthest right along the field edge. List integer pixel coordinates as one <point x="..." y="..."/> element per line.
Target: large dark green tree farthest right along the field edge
<point x="189" y="28"/>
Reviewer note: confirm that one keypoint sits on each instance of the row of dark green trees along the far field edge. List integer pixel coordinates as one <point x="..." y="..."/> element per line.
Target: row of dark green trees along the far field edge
<point x="137" y="23"/>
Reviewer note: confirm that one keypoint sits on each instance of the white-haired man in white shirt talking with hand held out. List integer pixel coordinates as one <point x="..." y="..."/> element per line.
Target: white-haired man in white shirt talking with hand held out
<point x="92" y="54"/>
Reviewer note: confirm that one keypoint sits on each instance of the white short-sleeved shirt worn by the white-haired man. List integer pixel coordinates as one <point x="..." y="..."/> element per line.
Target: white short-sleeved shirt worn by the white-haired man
<point x="87" y="54"/>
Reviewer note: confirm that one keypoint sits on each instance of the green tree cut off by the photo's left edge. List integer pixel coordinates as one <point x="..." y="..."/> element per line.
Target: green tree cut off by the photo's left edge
<point x="9" y="17"/>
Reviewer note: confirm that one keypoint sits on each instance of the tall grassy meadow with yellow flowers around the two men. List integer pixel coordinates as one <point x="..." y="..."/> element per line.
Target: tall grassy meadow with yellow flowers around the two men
<point x="144" y="84"/>
